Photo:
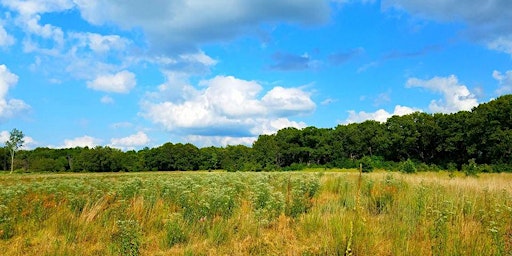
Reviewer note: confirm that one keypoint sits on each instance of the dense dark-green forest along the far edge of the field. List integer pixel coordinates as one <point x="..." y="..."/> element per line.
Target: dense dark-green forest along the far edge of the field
<point x="481" y="139"/>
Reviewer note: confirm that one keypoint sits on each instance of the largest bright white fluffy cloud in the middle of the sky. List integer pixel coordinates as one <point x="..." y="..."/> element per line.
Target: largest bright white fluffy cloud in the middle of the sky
<point x="227" y="107"/>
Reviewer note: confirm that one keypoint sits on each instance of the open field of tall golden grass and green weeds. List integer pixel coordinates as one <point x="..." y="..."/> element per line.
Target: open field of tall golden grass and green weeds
<point x="299" y="213"/>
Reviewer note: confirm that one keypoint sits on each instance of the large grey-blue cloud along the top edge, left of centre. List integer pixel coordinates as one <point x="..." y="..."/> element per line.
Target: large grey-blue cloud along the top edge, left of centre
<point x="175" y="26"/>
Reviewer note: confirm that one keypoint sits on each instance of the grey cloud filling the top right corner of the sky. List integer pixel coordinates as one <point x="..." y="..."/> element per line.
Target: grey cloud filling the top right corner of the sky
<point x="487" y="22"/>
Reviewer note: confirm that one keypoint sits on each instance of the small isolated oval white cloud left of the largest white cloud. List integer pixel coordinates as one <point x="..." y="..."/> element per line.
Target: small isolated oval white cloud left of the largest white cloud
<point x="121" y="82"/>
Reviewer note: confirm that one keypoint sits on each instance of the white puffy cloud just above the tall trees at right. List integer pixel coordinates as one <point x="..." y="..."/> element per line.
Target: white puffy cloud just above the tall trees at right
<point x="457" y="97"/>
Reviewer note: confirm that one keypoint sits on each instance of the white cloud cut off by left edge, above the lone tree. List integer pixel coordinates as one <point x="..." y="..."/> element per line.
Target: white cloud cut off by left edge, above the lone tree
<point x="9" y="107"/>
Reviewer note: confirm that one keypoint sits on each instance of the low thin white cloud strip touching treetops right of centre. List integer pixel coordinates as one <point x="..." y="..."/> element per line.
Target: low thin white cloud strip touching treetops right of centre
<point x="380" y="115"/>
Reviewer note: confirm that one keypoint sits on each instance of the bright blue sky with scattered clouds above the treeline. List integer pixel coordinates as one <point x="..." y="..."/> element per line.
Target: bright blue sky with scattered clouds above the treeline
<point x="131" y="74"/>
